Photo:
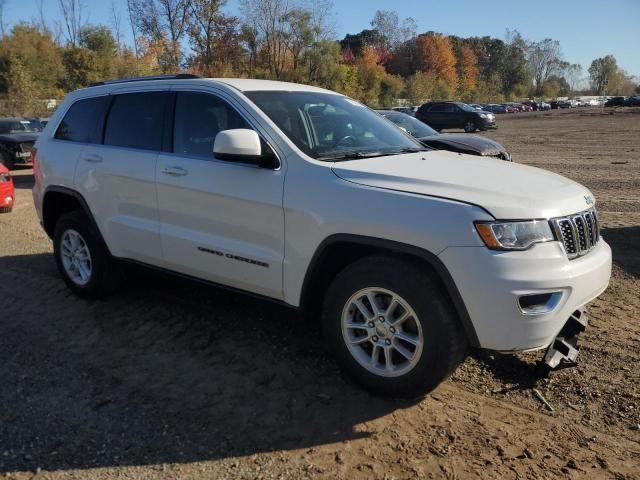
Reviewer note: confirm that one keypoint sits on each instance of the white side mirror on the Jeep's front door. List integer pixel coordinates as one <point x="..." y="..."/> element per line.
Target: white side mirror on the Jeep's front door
<point x="244" y="145"/>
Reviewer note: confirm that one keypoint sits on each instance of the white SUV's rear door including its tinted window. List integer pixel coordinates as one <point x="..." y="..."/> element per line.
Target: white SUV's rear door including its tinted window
<point x="117" y="177"/>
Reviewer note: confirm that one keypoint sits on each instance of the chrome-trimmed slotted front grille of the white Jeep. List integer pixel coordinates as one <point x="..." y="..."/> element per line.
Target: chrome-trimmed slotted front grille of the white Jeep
<point x="578" y="233"/>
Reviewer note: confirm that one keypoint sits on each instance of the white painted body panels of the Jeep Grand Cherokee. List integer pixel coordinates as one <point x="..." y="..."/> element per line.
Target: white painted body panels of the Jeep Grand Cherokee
<point x="224" y="222"/>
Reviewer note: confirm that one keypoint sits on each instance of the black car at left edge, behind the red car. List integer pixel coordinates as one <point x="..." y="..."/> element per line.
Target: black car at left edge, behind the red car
<point x="17" y="137"/>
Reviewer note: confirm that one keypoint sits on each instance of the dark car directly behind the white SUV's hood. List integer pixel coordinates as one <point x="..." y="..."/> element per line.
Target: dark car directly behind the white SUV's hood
<point x="454" y="142"/>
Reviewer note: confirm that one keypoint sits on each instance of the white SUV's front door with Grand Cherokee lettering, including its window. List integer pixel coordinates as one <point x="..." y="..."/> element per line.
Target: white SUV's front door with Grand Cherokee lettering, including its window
<point x="220" y="220"/>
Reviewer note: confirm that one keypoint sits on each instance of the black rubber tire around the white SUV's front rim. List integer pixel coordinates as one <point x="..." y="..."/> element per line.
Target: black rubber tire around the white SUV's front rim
<point x="444" y="340"/>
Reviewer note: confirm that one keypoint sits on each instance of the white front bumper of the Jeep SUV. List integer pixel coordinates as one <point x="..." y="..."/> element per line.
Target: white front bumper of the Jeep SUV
<point x="491" y="282"/>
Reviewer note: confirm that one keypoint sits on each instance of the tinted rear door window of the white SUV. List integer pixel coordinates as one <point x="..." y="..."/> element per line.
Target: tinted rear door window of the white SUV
<point x="136" y="121"/>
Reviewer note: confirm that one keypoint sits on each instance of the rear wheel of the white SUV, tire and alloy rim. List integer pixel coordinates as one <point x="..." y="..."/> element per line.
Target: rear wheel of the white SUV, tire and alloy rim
<point x="84" y="263"/>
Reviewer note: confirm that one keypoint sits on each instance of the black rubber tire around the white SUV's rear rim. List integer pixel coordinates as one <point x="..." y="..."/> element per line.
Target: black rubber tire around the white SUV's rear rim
<point x="103" y="279"/>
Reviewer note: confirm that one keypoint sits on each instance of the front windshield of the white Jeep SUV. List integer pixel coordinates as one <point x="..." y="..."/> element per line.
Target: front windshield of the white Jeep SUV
<point x="327" y="126"/>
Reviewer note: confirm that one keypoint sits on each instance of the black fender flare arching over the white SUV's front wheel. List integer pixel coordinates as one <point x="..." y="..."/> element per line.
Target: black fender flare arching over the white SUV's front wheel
<point x="403" y="248"/>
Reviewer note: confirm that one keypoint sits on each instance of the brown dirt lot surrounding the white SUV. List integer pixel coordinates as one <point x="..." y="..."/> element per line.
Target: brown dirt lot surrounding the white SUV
<point x="171" y="379"/>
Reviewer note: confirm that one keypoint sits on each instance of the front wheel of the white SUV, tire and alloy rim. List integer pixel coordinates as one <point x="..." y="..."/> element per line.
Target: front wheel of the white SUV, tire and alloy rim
<point x="391" y="327"/>
